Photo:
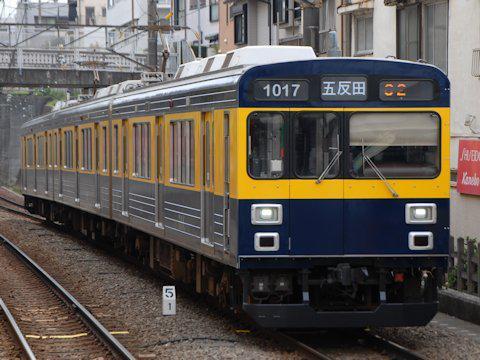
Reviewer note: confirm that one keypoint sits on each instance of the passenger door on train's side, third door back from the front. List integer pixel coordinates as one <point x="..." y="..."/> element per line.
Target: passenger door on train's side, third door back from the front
<point x="159" y="185"/>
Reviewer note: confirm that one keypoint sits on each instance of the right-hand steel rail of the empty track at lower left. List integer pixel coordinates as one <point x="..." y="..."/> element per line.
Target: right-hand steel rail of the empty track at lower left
<point x="101" y="331"/>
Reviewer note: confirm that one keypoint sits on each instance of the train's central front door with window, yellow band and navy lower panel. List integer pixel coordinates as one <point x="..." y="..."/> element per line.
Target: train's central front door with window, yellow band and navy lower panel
<point x="316" y="187"/>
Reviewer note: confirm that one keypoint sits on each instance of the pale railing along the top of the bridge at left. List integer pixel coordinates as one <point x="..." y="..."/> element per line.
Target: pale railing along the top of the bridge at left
<point x="75" y="59"/>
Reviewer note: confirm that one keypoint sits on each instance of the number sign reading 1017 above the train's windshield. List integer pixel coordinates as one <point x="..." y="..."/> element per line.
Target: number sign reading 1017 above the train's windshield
<point x="280" y="90"/>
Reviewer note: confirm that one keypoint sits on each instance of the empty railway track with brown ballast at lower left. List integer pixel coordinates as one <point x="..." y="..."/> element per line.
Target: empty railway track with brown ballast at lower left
<point x="53" y="322"/>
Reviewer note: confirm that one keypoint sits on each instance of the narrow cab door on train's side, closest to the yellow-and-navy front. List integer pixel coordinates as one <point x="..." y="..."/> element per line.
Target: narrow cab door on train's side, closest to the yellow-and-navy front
<point x="226" y="181"/>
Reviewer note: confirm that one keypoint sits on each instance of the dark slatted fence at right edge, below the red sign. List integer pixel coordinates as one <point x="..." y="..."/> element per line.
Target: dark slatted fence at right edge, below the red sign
<point x="464" y="265"/>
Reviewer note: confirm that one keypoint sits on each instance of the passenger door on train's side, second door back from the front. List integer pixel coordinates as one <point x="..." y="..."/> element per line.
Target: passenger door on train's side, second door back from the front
<point x="207" y="196"/>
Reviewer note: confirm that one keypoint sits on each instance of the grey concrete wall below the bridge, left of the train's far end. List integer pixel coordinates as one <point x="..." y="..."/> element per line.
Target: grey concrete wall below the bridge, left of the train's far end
<point x="14" y="111"/>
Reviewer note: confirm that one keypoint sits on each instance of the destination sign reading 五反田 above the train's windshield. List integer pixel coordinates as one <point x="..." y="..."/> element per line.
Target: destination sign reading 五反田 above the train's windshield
<point x="344" y="88"/>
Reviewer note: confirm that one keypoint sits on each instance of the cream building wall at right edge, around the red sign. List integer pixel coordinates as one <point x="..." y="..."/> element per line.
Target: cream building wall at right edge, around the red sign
<point x="464" y="36"/>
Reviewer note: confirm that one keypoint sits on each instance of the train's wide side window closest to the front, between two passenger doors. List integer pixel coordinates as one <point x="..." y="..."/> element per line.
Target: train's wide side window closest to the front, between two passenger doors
<point x="182" y="152"/>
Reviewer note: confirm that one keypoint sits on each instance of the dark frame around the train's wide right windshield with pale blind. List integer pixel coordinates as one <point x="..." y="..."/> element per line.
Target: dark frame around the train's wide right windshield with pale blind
<point x="346" y="147"/>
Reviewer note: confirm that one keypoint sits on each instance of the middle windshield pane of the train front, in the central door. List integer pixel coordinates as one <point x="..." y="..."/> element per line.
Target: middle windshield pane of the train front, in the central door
<point x="316" y="141"/>
